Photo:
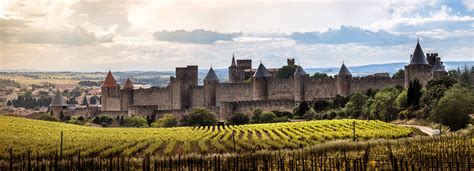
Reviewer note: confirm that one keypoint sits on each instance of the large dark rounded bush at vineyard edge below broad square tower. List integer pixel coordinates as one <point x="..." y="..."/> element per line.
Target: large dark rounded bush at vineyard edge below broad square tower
<point x="199" y="117"/>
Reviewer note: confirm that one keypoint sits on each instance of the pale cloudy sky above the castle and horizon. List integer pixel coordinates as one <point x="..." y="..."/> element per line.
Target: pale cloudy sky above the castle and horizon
<point x="143" y="35"/>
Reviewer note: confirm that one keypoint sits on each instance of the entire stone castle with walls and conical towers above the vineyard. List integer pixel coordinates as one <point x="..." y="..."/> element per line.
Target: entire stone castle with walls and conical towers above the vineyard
<point x="249" y="88"/>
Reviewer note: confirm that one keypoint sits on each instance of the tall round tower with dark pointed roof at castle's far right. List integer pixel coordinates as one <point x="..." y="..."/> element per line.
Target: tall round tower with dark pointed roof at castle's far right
<point x="418" y="68"/>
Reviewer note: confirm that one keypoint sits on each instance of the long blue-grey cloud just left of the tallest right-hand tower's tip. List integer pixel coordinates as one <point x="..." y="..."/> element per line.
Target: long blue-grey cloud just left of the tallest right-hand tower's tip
<point x="348" y="34"/>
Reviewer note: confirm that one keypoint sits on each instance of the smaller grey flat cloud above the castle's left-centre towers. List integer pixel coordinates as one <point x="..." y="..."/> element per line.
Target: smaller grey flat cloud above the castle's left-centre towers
<point x="196" y="36"/>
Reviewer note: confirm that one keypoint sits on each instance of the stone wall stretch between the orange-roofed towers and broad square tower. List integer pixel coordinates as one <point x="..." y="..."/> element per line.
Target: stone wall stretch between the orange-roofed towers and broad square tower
<point x="159" y="96"/>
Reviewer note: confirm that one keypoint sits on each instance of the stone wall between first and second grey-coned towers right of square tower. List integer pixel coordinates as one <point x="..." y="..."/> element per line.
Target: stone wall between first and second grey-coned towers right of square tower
<point x="226" y="92"/>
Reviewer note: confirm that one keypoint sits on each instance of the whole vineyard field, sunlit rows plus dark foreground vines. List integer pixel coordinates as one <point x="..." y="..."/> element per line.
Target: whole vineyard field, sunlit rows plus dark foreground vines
<point x="314" y="144"/>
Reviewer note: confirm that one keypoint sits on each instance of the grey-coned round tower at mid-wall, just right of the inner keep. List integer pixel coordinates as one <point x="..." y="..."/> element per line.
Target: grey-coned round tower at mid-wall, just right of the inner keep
<point x="260" y="79"/>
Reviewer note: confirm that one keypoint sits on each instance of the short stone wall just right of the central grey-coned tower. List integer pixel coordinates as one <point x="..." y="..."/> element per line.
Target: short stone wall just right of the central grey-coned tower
<point x="280" y="89"/>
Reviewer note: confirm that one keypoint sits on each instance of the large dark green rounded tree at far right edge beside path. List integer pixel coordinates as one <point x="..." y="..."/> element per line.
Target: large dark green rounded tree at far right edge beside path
<point x="454" y="107"/>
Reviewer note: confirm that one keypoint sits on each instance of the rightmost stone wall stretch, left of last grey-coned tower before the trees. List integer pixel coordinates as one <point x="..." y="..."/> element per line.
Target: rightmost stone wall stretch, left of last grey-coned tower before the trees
<point x="319" y="88"/>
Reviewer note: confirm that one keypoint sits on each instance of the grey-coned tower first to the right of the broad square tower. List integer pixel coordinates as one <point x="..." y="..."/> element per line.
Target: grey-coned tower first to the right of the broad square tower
<point x="210" y="86"/>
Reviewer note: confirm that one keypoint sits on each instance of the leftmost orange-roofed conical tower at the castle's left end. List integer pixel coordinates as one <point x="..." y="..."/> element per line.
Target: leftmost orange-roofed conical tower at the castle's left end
<point x="110" y="97"/>
